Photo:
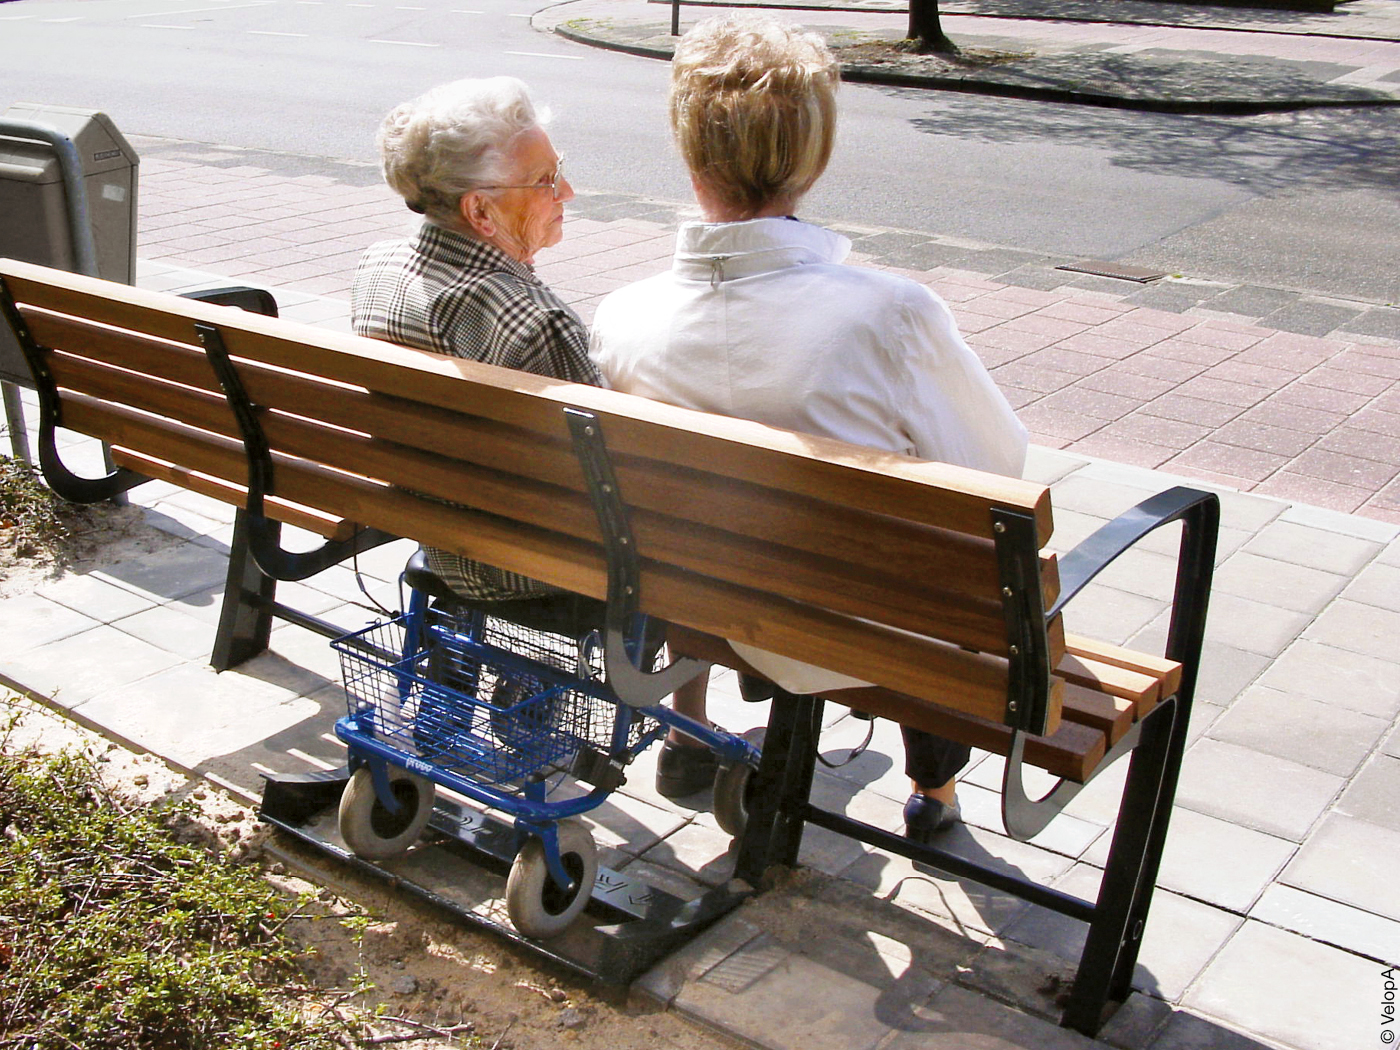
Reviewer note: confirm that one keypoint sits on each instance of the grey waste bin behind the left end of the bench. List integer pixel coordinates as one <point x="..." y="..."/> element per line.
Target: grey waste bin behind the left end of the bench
<point x="36" y="212"/>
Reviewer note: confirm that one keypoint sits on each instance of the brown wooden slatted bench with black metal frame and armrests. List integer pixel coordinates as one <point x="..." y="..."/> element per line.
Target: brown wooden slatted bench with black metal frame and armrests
<point x="927" y="580"/>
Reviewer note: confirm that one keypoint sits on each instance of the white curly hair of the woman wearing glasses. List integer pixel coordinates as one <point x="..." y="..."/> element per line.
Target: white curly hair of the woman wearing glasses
<point x="451" y="141"/>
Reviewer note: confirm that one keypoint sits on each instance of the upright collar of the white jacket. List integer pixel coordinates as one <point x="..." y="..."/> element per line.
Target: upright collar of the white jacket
<point x="726" y="251"/>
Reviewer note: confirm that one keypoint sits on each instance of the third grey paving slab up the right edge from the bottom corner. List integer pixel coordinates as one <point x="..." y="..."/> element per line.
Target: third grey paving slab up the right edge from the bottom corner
<point x="1352" y="862"/>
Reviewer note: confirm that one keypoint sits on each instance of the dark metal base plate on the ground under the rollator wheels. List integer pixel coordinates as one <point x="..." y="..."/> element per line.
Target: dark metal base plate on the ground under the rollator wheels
<point x="461" y="866"/>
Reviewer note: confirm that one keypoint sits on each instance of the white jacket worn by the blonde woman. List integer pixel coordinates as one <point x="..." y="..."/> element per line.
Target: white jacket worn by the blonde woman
<point x="761" y="320"/>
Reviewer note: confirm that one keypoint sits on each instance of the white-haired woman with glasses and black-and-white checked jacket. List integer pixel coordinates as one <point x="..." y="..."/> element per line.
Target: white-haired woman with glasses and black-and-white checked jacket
<point x="472" y="157"/>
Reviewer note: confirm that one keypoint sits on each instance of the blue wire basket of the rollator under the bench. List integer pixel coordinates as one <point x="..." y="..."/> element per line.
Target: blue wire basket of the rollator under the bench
<point x="484" y="698"/>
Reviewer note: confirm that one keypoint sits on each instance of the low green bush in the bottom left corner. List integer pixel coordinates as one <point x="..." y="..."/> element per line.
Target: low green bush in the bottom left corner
<point x="114" y="934"/>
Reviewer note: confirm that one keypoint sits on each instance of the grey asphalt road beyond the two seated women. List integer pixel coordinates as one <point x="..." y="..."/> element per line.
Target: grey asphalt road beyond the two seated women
<point x="1304" y="201"/>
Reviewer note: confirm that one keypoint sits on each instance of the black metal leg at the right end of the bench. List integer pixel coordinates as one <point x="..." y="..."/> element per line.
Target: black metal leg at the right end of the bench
<point x="1116" y="933"/>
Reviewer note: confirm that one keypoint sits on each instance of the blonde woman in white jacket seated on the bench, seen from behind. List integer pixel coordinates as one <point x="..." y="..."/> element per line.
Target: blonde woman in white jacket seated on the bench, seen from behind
<point x="759" y="318"/>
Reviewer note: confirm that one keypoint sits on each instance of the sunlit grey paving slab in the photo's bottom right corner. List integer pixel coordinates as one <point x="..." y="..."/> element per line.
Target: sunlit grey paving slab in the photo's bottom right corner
<point x="1293" y="990"/>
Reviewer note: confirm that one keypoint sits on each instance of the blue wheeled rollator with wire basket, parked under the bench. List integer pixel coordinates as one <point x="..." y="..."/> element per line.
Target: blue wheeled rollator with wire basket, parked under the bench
<point x="446" y="696"/>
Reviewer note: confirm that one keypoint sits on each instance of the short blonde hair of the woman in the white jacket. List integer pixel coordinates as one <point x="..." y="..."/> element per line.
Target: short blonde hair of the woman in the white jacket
<point x="754" y="108"/>
